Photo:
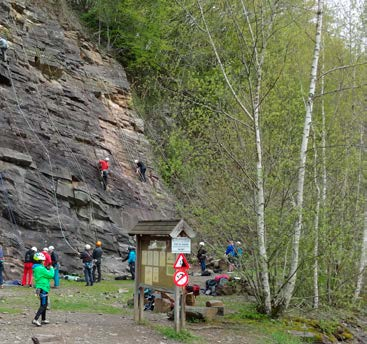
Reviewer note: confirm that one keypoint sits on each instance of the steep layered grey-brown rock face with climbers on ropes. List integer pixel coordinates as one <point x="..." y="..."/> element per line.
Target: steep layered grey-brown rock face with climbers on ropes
<point x="63" y="106"/>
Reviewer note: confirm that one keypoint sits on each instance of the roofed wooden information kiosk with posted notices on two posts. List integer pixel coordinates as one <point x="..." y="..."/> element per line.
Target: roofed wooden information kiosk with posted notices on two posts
<point x="157" y="245"/>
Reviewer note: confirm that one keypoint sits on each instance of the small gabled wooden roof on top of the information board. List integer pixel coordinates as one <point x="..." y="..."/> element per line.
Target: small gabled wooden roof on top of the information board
<point x="173" y="228"/>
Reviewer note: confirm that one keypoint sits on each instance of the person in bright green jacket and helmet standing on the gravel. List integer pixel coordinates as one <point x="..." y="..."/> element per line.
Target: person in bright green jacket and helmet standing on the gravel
<point x="42" y="277"/>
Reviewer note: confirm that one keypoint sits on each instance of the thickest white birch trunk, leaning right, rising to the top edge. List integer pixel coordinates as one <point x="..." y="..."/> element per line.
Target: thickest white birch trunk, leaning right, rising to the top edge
<point x="285" y="296"/>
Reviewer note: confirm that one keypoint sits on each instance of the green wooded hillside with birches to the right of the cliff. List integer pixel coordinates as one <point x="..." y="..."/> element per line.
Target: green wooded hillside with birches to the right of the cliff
<point x="258" y="114"/>
